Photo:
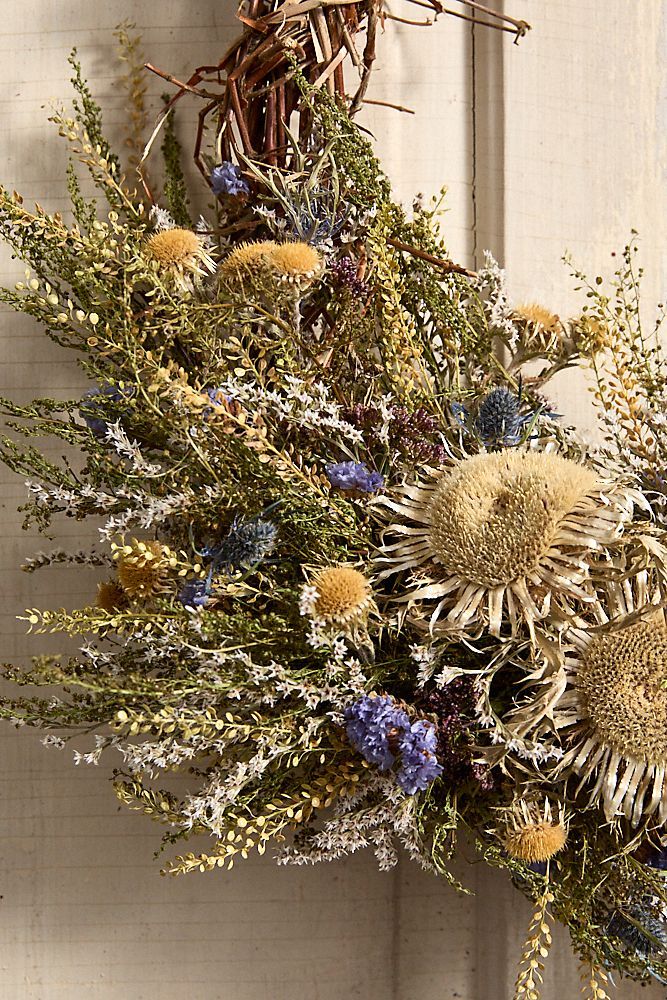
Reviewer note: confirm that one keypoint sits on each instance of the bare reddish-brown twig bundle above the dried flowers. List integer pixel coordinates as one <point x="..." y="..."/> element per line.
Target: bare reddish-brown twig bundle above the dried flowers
<point x="257" y="88"/>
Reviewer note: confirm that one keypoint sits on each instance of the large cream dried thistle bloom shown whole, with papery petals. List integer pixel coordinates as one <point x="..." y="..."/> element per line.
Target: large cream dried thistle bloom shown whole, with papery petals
<point x="499" y="535"/>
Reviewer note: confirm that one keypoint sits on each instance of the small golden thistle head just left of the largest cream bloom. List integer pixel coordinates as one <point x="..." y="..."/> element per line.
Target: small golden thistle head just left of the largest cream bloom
<point x="337" y="596"/>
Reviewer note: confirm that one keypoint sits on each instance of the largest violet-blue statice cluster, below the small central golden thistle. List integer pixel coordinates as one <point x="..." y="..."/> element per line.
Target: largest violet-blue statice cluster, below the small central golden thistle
<point x="383" y="734"/>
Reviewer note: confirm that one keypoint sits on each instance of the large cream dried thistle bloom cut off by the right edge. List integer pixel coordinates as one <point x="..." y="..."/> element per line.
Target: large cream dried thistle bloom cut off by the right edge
<point x="606" y="699"/>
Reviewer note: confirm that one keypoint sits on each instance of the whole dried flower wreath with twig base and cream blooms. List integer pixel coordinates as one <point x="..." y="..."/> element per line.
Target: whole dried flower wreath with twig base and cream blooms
<point x="359" y="583"/>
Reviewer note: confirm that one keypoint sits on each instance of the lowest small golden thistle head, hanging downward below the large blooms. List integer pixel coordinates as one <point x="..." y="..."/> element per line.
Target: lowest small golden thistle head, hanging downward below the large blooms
<point x="532" y="833"/>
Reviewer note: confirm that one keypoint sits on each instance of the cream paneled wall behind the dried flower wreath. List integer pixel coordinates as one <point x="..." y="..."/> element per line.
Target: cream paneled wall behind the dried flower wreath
<point x="565" y="136"/>
